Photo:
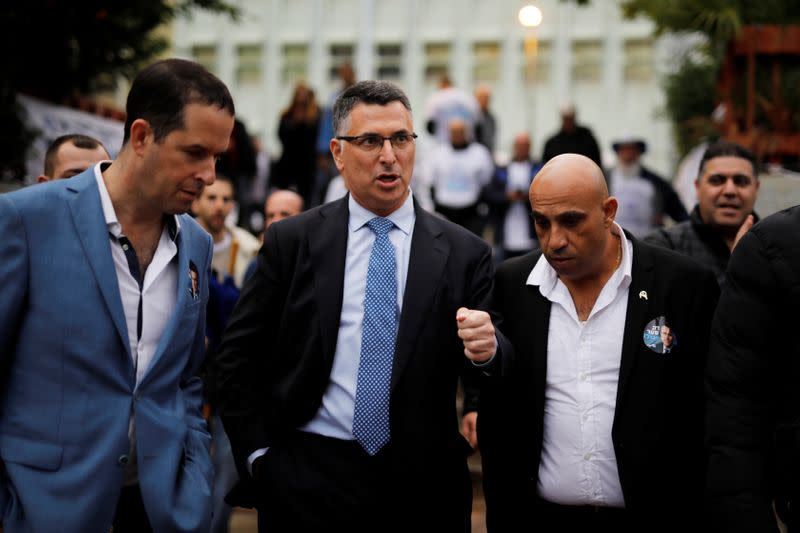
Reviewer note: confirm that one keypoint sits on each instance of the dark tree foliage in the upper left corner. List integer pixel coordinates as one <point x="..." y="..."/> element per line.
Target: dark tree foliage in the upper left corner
<point x="54" y="49"/>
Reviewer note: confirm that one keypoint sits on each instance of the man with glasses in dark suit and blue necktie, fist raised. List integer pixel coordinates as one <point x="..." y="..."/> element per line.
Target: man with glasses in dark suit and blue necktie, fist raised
<point x="339" y="367"/>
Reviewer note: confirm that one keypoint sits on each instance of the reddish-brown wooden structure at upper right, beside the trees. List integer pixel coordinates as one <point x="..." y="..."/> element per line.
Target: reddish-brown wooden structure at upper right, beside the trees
<point x="761" y="122"/>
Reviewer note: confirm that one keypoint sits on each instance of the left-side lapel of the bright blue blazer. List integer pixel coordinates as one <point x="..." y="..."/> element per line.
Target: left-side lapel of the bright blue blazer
<point x="87" y="214"/>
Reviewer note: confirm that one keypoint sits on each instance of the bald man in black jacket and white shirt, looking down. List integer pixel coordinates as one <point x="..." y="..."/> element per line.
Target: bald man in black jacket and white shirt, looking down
<point x="589" y="425"/>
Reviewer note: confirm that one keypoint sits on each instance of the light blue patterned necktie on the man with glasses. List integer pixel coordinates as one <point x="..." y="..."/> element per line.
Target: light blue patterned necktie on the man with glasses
<point x="379" y="328"/>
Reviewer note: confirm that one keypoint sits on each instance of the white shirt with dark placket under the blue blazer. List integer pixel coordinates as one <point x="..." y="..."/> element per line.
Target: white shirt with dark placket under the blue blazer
<point x="159" y="295"/>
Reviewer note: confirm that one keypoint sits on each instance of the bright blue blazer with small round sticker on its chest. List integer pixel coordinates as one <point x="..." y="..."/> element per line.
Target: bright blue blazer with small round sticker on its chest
<point x="68" y="380"/>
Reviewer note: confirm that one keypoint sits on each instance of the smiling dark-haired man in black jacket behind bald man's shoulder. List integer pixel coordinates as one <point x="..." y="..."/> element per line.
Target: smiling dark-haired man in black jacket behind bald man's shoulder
<point x="727" y="187"/>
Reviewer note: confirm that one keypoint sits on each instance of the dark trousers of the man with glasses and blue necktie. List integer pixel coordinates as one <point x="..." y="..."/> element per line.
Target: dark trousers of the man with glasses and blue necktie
<point x="313" y="483"/>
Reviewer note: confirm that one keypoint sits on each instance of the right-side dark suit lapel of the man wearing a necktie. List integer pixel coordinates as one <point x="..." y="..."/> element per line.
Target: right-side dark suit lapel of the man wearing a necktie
<point x="429" y="253"/>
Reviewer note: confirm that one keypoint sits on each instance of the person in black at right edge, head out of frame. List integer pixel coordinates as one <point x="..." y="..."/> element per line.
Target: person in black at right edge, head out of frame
<point x="752" y="379"/>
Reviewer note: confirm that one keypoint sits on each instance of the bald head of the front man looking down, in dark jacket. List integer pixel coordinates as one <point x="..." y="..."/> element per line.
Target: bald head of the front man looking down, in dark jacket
<point x="574" y="218"/>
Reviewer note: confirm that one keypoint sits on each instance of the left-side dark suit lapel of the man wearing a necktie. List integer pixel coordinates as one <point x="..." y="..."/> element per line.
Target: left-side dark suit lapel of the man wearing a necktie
<point x="328" y="250"/>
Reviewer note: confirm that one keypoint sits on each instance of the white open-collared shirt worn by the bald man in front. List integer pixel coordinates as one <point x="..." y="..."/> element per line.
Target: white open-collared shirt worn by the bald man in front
<point x="578" y="465"/>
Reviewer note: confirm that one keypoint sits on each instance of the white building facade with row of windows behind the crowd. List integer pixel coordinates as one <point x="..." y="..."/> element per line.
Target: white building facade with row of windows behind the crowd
<point x="608" y="67"/>
